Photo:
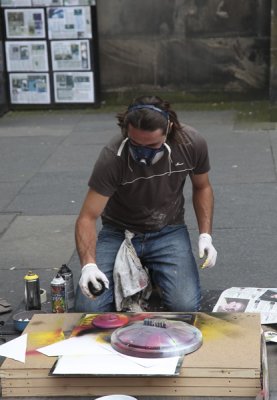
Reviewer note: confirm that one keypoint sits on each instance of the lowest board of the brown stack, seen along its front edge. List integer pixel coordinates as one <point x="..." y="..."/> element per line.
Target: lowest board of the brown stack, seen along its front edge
<point x="132" y="391"/>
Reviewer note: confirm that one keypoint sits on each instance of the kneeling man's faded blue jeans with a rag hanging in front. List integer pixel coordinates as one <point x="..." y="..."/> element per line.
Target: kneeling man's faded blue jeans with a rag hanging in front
<point x="168" y="256"/>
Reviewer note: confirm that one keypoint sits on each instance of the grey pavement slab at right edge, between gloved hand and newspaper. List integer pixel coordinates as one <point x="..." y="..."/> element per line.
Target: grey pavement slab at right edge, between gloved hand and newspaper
<point x="246" y="258"/>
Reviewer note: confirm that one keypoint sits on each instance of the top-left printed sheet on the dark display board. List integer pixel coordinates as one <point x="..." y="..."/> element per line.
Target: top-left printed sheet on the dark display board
<point x="25" y="23"/>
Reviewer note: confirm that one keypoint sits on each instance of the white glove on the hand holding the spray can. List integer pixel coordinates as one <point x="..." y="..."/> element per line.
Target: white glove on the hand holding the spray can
<point x="90" y="272"/>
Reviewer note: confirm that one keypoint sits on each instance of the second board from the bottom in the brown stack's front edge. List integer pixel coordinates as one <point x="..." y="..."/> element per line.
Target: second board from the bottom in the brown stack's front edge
<point x="122" y="382"/>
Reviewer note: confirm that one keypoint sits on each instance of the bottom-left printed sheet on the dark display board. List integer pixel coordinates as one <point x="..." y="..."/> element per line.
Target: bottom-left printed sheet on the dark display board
<point x="29" y="88"/>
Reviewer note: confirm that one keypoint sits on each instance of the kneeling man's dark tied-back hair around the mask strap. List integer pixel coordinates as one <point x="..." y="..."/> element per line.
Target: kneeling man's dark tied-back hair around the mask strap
<point x="151" y="119"/>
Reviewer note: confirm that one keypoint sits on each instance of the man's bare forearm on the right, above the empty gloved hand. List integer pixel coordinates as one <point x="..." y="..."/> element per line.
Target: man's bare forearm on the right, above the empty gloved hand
<point x="203" y="202"/>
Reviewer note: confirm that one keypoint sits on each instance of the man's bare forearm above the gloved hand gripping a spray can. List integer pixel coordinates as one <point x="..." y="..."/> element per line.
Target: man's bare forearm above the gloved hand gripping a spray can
<point x="85" y="238"/>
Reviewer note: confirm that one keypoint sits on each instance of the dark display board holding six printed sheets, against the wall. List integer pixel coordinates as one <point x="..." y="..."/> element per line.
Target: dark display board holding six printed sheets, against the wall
<point x="50" y="52"/>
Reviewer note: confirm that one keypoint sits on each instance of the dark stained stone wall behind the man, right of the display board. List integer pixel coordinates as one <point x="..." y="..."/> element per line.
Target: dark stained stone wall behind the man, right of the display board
<point x="185" y="45"/>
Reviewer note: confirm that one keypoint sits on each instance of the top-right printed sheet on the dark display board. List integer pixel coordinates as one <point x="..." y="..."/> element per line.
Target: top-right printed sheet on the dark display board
<point x="69" y="22"/>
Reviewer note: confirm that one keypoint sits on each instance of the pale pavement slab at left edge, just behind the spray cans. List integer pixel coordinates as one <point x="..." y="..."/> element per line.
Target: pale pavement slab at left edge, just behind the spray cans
<point x="37" y="242"/>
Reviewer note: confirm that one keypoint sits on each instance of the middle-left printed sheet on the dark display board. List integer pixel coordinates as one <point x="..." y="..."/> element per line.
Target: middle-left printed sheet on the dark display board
<point x="26" y="56"/>
